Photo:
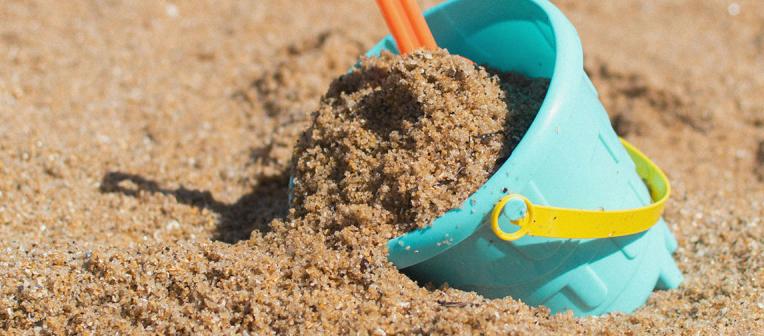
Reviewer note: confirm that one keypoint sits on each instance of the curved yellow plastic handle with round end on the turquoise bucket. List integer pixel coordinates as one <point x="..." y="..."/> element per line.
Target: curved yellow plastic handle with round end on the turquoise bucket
<point x="553" y="222"/>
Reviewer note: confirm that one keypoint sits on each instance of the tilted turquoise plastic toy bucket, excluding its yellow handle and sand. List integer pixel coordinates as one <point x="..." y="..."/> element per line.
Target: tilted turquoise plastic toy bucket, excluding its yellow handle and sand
<point x="570" y="157"/>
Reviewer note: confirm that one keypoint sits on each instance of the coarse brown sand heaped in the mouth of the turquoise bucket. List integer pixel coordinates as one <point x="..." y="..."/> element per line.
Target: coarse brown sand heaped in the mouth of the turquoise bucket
<point x="401" y="140"/>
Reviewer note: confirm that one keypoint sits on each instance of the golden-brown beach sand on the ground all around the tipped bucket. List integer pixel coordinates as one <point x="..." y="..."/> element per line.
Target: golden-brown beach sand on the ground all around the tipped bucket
<point x="145" y="148"/>
